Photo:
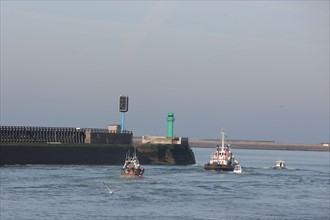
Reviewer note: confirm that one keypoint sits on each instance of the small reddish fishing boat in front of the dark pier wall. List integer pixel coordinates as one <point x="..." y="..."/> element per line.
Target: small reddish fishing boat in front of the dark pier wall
<point x="132" y="168"/>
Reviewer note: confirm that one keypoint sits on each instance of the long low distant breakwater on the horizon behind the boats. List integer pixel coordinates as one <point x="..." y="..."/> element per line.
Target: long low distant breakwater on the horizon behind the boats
<point x="259" y="145"/>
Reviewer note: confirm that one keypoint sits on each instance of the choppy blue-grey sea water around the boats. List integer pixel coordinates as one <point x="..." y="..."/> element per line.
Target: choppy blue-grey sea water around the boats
<point x="173" y="192"/>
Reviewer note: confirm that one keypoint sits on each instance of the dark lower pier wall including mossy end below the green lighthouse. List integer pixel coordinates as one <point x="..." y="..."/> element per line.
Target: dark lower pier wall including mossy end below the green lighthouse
<point x="93" y="154"/>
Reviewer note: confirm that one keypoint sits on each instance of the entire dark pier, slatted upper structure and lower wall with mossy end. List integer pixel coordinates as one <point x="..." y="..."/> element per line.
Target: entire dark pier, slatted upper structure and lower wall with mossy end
<point x="54" y="145"/>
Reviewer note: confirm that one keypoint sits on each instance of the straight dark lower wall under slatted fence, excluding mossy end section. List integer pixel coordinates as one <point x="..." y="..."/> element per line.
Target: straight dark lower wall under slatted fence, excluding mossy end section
<point x="69" y="154"/>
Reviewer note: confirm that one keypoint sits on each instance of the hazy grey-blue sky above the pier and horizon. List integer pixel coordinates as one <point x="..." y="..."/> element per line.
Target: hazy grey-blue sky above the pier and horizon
<point x="259" y="70"/>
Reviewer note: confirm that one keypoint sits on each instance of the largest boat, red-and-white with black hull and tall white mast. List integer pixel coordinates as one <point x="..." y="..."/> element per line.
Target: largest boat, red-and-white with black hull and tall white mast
<point x="223" y="159"/>
